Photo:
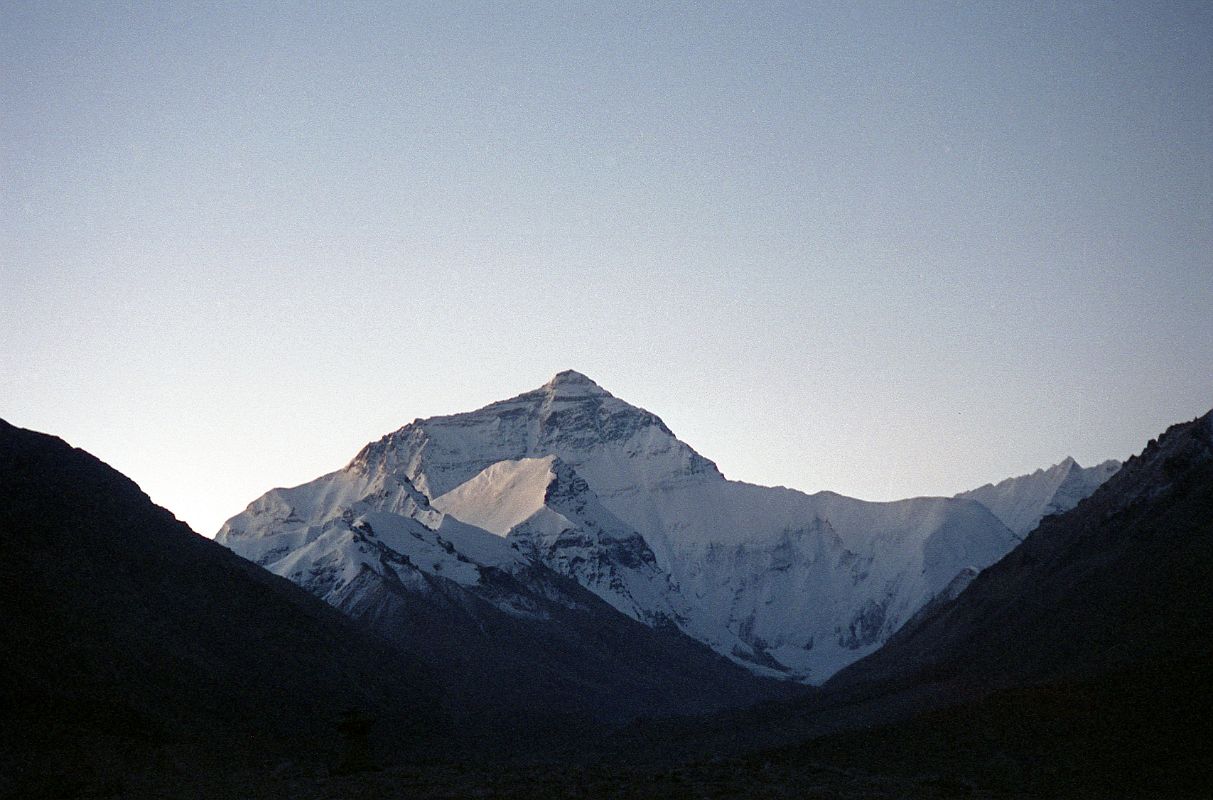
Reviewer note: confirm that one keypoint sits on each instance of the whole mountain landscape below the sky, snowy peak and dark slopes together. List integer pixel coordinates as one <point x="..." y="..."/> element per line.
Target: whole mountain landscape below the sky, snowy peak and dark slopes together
<point x="555" y="597"/>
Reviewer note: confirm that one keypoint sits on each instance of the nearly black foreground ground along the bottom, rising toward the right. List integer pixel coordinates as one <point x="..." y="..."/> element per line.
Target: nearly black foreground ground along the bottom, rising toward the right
<point x="1141" y="734"/>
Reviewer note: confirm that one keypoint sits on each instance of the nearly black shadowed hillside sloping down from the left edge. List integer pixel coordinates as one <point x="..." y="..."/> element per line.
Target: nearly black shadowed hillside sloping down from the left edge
<point x="132" y="645"/>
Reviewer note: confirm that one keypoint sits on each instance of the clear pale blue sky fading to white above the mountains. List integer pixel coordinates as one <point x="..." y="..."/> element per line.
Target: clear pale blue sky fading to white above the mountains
<point x="886" y="250"/>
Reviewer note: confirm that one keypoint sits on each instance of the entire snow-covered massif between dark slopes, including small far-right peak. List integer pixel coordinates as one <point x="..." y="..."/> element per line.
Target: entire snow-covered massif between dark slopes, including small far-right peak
<point x="573" y="478"/>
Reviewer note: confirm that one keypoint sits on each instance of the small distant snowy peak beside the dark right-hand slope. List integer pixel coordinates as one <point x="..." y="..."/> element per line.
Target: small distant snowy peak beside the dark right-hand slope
<point x="1024" y="501"/>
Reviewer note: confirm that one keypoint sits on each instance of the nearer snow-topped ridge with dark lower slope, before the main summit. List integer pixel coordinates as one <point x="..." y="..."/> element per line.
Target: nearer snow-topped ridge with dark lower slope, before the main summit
<point x="508" y="635"/>
